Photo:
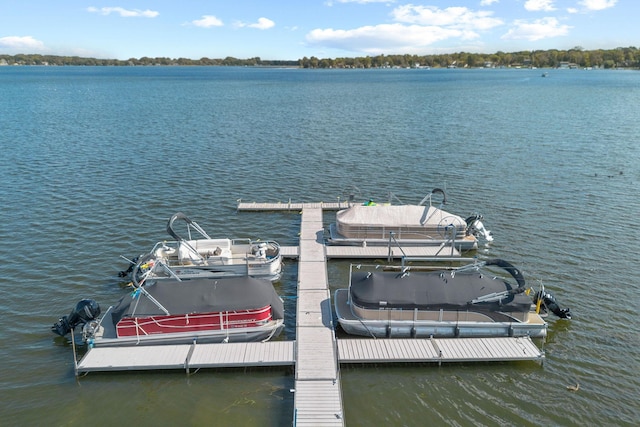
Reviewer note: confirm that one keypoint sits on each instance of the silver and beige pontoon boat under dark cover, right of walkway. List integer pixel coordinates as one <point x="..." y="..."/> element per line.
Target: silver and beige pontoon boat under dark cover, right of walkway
<point x="469" y="301"/>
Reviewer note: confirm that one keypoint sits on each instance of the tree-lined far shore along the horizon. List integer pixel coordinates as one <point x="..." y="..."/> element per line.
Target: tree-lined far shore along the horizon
<point x="622" y="57"/>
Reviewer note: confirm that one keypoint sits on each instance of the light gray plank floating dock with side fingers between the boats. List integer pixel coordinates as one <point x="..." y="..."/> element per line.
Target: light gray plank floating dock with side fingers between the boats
<point x="316" y="352"/>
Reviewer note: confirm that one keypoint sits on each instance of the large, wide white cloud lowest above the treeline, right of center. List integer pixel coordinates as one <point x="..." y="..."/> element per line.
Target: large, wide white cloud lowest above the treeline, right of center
<point x="387" y="38"/>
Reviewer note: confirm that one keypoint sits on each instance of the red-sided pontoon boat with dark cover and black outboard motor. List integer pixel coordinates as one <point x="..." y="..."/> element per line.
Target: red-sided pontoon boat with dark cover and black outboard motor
<point x="237" y="309"/>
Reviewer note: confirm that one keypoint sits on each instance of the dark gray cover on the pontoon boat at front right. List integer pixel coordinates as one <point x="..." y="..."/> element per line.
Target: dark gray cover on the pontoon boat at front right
<point x="434" y="291"/>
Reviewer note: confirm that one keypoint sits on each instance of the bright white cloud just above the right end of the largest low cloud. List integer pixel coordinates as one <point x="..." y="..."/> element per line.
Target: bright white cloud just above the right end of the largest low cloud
<point x="454" y="17"/>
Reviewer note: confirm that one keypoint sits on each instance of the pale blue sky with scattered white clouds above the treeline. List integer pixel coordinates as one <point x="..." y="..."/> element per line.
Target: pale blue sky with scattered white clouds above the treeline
<point x="293" y="29"/>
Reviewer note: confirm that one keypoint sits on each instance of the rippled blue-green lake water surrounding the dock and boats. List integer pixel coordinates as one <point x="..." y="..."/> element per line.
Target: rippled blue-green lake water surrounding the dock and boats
<point x="96" y="160"/>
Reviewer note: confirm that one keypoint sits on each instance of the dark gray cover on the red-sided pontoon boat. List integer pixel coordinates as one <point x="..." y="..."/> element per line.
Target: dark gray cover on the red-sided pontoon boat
<point x="200" y="296"/>
